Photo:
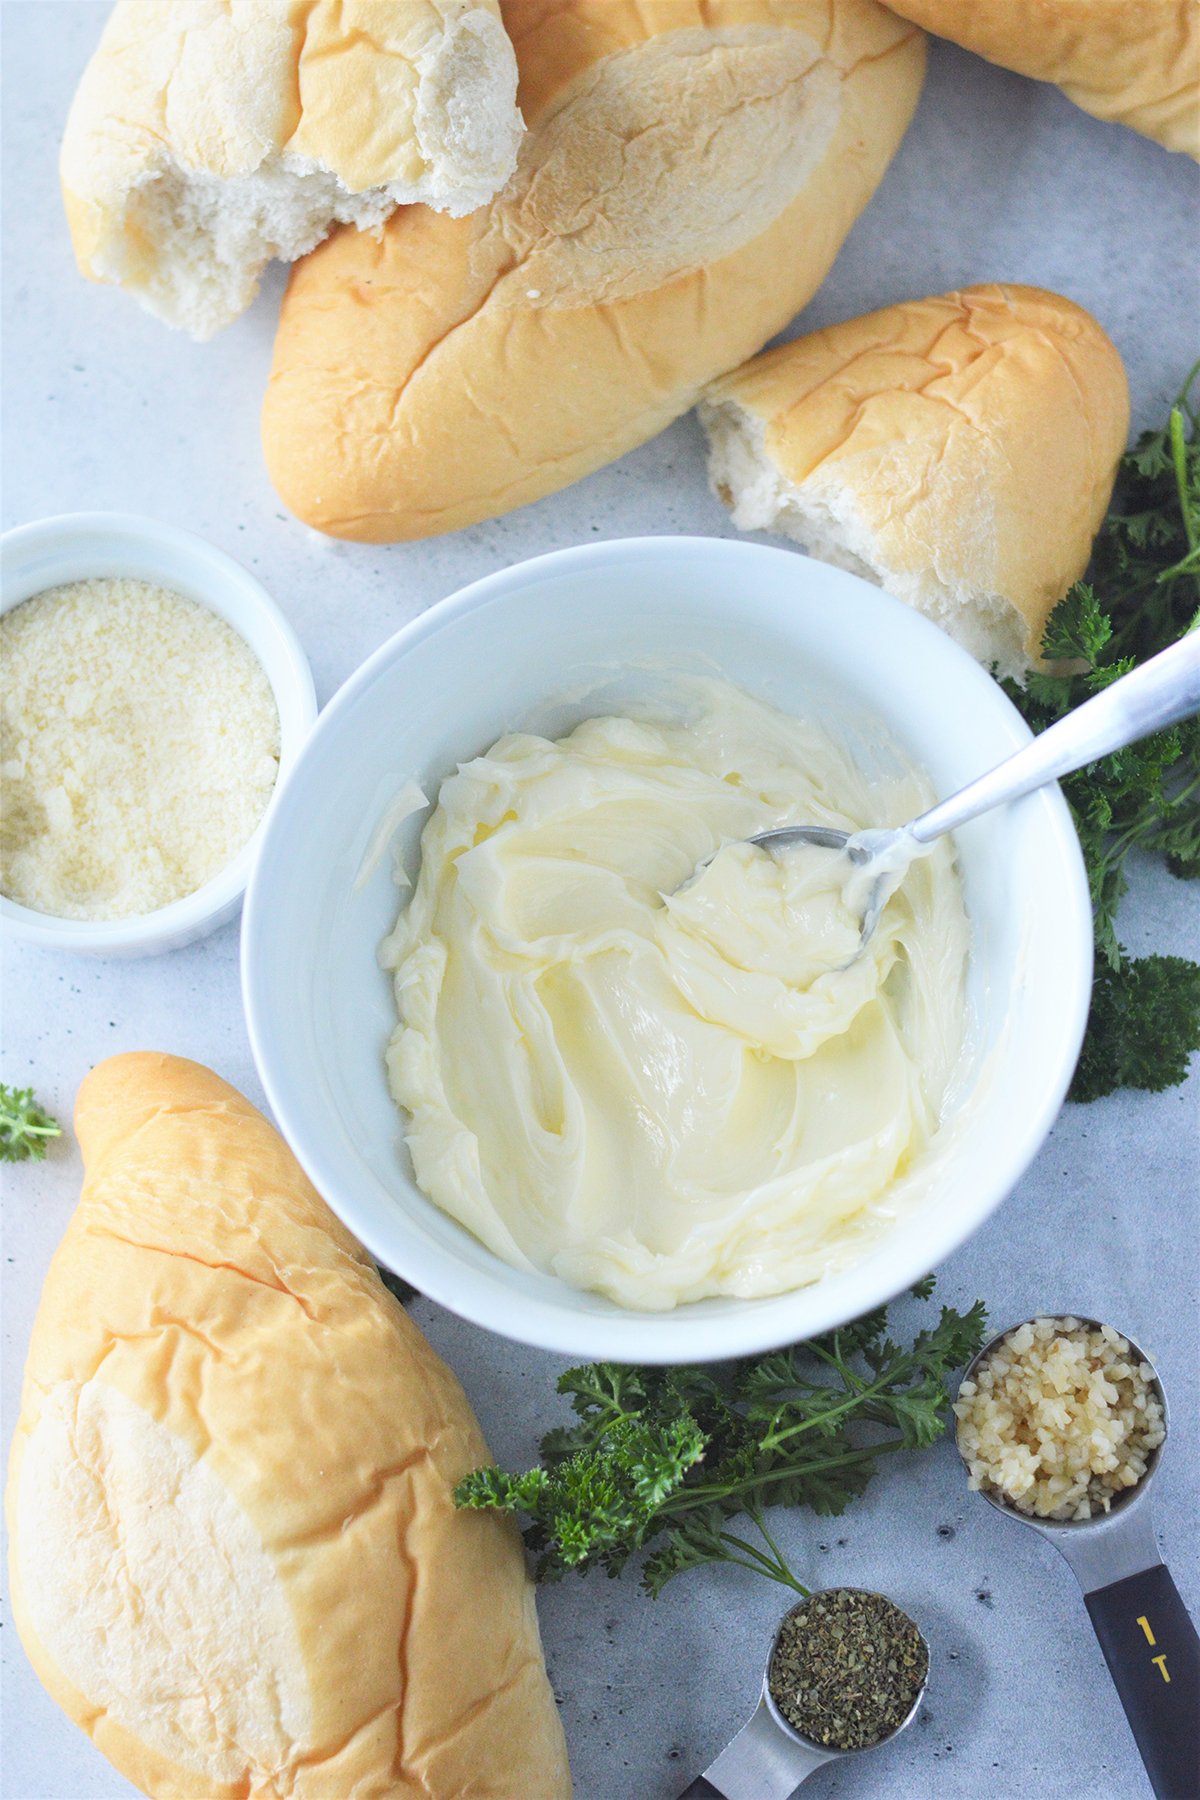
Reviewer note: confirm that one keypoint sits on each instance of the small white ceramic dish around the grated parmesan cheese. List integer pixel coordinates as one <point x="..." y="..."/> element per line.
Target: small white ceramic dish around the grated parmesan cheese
<point x="76" y="546"/>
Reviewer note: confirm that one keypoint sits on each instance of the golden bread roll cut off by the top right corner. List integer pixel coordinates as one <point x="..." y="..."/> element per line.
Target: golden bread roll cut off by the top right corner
<point x="1136" y="62"/>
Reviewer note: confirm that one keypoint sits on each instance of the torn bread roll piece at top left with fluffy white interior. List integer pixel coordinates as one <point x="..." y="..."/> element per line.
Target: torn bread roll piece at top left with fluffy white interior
<point x="213" y="136"/>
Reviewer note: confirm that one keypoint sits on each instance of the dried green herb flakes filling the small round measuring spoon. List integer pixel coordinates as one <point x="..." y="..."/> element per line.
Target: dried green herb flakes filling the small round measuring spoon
<point x="848" y="1669"/>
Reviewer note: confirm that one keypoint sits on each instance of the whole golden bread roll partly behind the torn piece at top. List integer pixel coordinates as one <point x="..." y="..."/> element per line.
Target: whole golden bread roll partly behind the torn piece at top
<point x="688" y="177"/>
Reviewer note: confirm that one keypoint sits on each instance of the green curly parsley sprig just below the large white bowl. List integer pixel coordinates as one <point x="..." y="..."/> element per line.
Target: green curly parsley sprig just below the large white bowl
<point x="668" y="1462"/>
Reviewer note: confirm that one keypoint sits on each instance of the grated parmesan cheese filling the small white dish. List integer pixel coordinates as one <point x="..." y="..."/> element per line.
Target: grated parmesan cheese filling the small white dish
<point x="139" y="746"/>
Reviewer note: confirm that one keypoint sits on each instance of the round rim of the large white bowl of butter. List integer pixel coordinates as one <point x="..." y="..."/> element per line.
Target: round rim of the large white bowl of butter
<point x="704" y="1331"/>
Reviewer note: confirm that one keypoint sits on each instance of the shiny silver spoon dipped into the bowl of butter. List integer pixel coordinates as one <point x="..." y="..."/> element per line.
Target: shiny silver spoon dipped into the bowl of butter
<point x="1149" y="699"/>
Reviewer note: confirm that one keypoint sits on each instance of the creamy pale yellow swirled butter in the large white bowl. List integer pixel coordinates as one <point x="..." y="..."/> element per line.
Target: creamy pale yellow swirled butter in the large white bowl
<point x="659" y="1083"/>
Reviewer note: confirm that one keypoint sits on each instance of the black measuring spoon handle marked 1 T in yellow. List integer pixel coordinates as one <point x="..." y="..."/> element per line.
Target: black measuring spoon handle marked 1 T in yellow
<point x="1154" y="1657"/>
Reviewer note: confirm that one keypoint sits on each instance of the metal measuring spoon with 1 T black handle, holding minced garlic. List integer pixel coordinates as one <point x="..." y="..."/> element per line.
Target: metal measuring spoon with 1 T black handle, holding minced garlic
<point x="1149" y="1641"/>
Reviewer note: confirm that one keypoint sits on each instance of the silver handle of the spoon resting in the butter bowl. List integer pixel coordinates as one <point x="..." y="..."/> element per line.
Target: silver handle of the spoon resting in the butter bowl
<point x="1149" y="699"/>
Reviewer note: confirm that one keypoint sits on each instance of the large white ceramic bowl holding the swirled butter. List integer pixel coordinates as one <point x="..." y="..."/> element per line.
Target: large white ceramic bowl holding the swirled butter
<point x="503" y="654"/>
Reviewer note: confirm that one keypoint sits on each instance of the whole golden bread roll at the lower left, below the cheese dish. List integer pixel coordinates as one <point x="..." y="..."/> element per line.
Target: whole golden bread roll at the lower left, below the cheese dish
<point x="235" y="1552"/>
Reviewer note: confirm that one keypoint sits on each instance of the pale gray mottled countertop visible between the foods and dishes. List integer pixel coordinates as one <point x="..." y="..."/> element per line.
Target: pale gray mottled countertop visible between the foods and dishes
<point x="105" y="408"/>
